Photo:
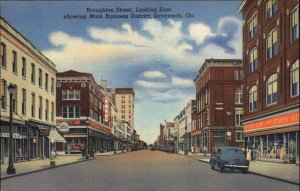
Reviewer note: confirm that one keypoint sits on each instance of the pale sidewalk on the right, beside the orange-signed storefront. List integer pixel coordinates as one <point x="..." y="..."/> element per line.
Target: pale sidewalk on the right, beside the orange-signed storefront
<point x="279" y="171"/>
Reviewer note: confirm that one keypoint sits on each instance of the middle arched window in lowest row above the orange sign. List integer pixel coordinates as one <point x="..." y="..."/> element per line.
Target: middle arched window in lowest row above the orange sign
<point x="272" y="89"/>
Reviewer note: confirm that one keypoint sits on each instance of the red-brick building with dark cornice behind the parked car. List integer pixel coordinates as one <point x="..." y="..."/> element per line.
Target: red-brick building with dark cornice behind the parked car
<point x="219" y="100"/>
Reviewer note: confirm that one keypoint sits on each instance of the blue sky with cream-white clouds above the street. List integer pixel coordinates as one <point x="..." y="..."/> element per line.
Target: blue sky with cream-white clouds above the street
<point x="159" y="57"/>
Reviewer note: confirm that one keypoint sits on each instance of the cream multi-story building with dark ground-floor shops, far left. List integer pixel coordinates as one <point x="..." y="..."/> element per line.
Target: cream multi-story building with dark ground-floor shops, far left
<point x="33" y="102"/>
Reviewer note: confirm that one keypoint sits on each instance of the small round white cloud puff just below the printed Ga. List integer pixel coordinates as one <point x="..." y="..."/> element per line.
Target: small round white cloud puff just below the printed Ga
<point x="199" y="32"/>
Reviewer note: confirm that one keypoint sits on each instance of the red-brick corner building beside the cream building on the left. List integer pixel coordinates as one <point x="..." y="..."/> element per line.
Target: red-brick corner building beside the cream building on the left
<point x="83" y="112"/>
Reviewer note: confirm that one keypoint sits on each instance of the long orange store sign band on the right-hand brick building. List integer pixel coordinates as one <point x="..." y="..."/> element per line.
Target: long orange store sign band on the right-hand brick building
<point x="282" y="120"/>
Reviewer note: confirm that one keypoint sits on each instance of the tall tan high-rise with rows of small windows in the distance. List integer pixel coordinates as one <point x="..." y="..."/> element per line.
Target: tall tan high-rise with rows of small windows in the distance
<point x="124" y="102"/>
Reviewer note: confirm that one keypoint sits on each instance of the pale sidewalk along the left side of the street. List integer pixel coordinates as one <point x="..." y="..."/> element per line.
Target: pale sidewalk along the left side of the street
<point x="44" y="164"/>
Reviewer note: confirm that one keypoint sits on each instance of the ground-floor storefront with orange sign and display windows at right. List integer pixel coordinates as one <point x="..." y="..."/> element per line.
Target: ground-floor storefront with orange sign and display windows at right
<point x="275" y="137"/>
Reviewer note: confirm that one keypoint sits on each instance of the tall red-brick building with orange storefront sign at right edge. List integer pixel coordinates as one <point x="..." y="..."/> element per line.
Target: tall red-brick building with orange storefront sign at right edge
<point x="271" y="83"/>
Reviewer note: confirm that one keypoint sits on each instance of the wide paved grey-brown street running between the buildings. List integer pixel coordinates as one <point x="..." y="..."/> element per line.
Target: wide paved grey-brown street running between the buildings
<point x="142" y="171"/>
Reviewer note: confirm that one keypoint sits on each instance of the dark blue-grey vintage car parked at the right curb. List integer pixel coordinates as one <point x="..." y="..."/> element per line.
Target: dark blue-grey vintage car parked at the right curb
<point x="229" y="157"/>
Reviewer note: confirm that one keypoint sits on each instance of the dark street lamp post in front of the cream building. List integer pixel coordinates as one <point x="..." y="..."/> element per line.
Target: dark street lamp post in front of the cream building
<point x="11" y="170"/>
